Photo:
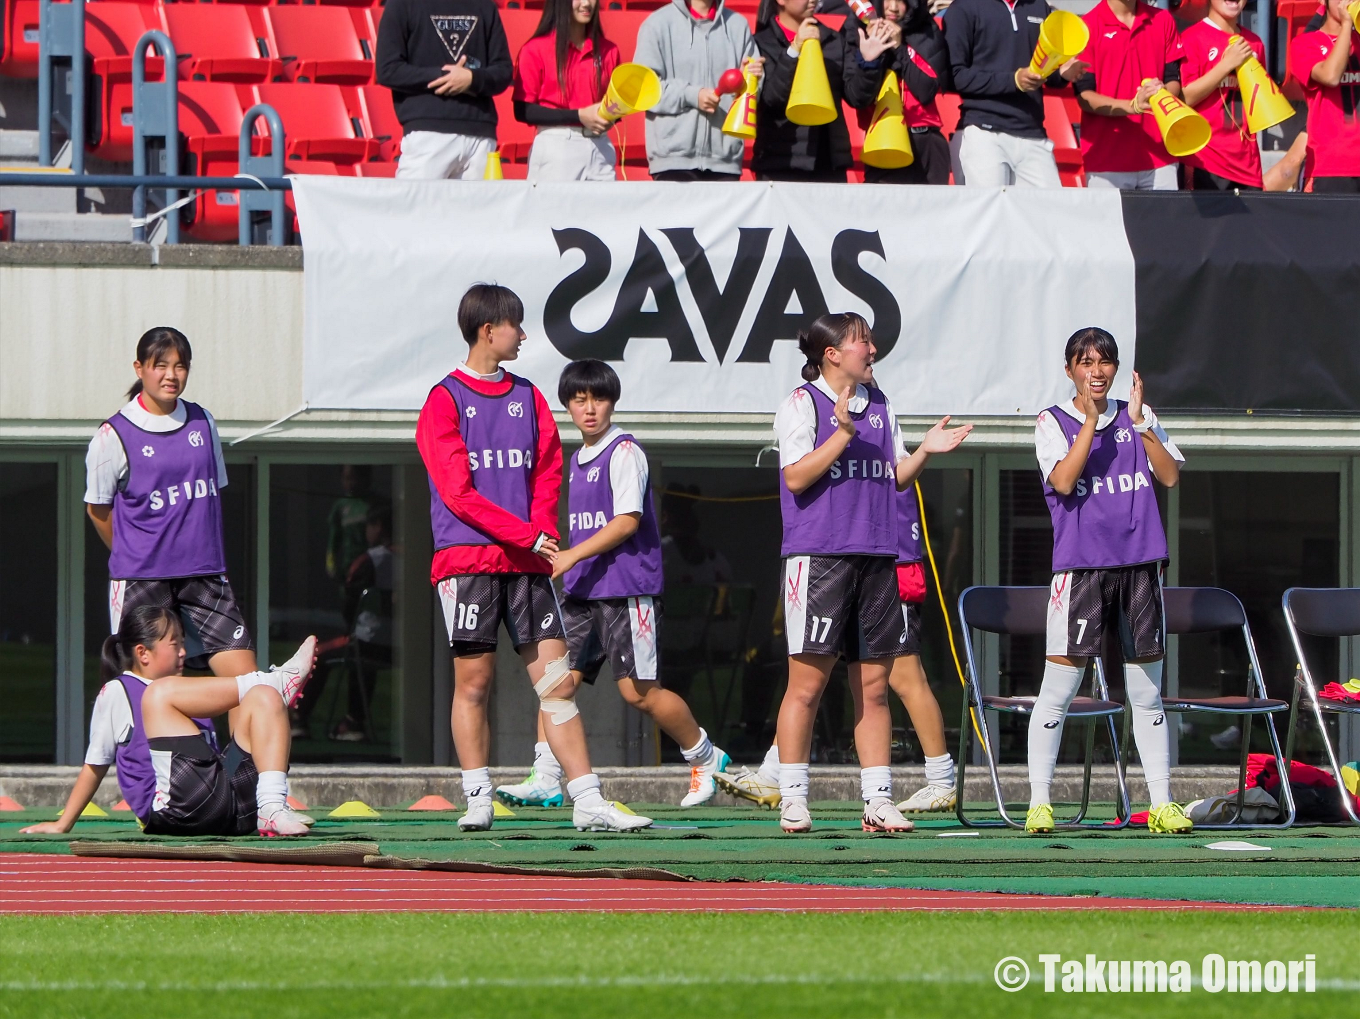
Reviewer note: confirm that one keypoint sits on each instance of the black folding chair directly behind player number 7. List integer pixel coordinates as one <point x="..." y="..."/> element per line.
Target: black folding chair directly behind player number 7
<point x="1023" y="612"/>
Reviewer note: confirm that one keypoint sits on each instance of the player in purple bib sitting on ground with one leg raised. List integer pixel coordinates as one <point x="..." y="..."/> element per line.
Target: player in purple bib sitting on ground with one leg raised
<point x="156" y="724"/>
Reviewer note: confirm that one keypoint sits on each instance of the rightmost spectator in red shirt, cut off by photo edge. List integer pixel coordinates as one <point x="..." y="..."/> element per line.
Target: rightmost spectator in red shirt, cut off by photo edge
<point x="1325" y="62"/>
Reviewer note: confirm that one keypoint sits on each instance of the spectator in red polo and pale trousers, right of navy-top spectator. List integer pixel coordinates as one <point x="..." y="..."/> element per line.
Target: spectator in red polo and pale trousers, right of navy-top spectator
<point x="1134" y="52"/>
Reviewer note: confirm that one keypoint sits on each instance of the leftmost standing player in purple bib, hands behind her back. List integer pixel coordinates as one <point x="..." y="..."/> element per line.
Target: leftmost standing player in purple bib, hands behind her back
<point x="154" y="475"/>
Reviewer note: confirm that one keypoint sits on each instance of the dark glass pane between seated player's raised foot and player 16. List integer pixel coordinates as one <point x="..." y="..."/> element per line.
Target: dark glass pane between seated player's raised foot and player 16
<point x="335" y="572"/>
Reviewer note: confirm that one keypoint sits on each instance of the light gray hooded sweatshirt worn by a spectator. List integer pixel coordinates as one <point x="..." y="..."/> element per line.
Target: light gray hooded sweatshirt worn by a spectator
<point x="690" y="54"/>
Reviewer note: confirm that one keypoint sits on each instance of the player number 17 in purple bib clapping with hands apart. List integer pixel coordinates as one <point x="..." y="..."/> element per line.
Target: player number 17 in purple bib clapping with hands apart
<point x="843" y="462"/>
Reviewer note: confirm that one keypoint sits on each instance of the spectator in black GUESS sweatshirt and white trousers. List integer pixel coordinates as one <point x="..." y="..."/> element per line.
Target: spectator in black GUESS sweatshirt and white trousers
<point x="444" y="62"/>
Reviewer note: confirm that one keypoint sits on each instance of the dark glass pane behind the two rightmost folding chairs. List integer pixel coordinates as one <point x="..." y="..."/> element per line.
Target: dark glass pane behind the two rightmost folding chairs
<point x="1255" y="534"/>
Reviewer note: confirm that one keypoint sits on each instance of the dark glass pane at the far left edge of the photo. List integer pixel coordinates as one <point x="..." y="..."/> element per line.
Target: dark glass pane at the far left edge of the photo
<point x="29" y="613"/>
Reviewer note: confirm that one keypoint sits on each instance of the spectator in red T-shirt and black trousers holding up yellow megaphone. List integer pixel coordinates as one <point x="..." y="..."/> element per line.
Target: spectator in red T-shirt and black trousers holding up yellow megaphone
<point x="1215" y="50"/>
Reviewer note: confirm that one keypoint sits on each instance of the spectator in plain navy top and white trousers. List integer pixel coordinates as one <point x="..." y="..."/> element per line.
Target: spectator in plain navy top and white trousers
<point x="1002" y="137"/>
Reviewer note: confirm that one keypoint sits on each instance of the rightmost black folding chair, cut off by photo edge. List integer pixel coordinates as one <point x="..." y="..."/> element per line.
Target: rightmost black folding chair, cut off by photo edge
<point x="1321" y="613"/>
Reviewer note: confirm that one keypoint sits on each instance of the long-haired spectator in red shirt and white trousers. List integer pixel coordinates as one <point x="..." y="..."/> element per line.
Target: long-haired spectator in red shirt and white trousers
<point x="560" y="78"/>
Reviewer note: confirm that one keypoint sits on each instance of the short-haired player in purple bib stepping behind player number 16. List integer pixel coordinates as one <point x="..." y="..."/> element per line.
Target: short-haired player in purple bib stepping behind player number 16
<point x="613" y="580"/>
